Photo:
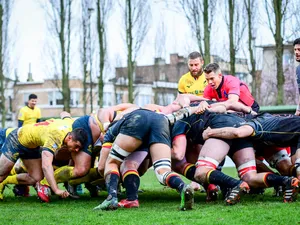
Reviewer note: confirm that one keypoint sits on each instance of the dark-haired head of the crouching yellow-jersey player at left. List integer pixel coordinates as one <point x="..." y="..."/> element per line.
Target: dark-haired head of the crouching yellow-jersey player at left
<point x="76" y="139"/>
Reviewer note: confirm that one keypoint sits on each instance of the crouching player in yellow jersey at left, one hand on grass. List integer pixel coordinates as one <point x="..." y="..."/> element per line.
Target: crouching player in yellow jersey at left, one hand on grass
<point x="25" y="143"/>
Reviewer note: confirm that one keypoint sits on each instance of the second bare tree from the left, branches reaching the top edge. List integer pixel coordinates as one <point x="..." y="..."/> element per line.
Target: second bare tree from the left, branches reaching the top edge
<point x="59" y="14"/>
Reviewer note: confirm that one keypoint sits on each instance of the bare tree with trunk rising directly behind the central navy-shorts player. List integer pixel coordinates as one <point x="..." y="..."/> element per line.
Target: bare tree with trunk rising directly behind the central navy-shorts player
<point x="137" y="16"/>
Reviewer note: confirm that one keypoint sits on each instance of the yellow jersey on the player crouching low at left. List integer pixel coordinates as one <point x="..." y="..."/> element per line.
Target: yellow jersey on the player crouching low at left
<point x="49" y="134"/>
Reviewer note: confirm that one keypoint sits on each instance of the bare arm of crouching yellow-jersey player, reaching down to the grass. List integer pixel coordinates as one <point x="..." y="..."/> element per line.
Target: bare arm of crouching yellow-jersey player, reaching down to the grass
<point x="47" y="159"/>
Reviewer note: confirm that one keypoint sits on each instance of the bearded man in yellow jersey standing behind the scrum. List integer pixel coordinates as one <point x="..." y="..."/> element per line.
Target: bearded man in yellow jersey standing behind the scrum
<point x="194" y="81"/>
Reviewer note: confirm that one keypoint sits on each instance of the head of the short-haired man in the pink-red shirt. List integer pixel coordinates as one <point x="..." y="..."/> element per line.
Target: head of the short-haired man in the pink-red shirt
<point x="213" y="75"/>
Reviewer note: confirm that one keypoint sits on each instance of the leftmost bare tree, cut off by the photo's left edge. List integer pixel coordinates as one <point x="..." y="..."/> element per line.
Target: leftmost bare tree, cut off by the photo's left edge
<point x="5" y="15"/>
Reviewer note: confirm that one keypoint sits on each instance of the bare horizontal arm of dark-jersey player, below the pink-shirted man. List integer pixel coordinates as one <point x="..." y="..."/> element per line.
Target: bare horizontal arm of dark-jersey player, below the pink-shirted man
<point x="228" y="132"/>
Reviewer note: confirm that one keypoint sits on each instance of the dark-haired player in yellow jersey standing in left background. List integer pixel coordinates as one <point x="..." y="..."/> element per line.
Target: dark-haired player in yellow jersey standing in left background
<point x="30" y="113"/>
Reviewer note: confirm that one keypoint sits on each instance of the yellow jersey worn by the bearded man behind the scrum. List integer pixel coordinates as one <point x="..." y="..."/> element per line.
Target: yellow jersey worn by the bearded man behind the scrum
<point x="189" y="85"/>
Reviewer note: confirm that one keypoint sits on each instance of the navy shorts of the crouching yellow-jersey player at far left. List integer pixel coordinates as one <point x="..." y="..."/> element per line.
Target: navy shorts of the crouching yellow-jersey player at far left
<point x="13" y="149"/>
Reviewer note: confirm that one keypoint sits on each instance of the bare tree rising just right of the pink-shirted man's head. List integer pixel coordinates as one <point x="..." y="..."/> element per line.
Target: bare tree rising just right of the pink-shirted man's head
<point x="236" y="27"/>
